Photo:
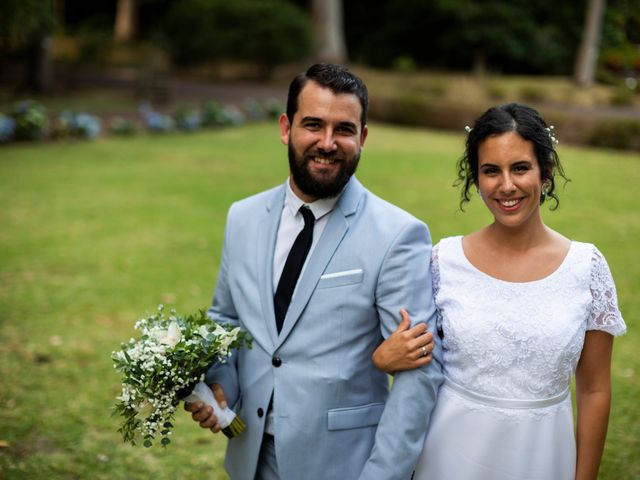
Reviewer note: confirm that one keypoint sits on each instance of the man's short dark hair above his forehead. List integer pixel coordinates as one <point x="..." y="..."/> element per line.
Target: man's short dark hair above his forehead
<point x="334" y="77"/>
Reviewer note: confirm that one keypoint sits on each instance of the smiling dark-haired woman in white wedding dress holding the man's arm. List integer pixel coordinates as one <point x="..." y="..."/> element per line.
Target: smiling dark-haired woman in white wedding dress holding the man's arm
<point x="521" y="309"/>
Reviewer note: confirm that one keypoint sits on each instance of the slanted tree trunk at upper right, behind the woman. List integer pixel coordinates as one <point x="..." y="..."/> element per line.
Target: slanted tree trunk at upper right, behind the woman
<point x="587" y="58"/>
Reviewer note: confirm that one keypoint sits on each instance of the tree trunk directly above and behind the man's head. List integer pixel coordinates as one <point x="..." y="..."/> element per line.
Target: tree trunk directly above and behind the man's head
<point x="328" y="26"/>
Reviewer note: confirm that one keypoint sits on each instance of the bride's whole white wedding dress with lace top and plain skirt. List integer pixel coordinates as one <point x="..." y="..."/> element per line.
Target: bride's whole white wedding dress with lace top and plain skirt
<point x="510" y="351"/>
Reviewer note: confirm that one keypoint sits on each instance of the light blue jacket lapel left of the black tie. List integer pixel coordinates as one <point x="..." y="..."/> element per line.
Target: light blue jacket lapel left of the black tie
<point x="266" y="244"/>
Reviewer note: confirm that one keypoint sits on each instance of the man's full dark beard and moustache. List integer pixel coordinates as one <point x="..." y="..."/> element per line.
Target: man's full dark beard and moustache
<point x="320" y="187"/>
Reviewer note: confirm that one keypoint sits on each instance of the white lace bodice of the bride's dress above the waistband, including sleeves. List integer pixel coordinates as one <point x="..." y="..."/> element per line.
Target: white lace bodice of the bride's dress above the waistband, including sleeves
<point x="520" y="340"/>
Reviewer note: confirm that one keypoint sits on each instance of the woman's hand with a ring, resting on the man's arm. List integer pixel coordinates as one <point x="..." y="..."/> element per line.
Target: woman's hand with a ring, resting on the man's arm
<point x="406" y="348"/>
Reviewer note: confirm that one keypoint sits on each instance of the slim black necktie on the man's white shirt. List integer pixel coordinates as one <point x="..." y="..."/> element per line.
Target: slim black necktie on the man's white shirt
<point x="293" y="267"/>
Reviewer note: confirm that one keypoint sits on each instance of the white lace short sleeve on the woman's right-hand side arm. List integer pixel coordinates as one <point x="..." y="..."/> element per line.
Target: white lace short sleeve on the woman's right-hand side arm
<point x="604" y="314"/>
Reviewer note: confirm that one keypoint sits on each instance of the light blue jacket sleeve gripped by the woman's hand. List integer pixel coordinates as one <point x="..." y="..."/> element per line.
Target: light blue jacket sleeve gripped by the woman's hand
<point x="405" y="281"/>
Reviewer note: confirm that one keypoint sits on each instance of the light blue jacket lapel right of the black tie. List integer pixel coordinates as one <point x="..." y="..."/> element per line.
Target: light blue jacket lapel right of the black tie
<point x="332" y="235"/>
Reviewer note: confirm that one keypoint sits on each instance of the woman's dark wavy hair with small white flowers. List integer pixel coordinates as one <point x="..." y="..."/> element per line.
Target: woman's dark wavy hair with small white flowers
<point x="527" y="123"/>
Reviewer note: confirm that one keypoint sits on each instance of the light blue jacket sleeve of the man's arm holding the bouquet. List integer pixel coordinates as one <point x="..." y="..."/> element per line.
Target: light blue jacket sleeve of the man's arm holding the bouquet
<point x="223" y="311"/>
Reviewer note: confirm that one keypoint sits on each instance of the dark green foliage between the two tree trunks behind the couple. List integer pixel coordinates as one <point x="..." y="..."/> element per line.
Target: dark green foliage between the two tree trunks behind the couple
<point x="516" y="36"/>
